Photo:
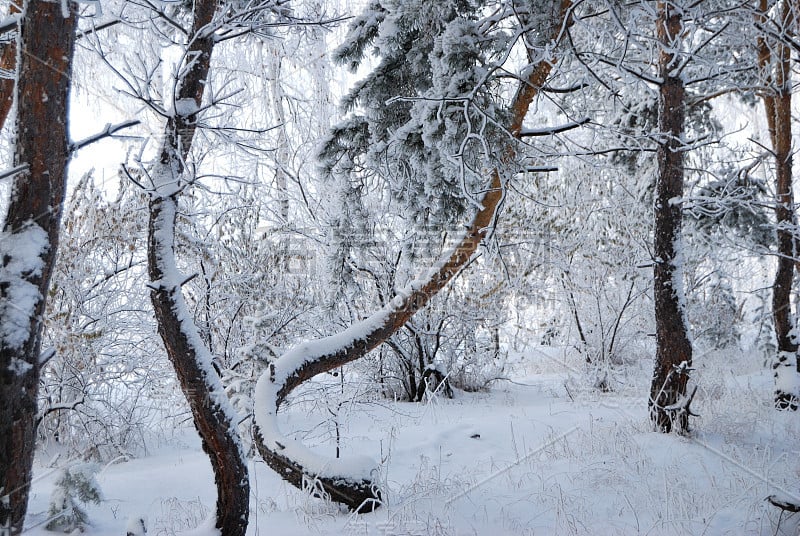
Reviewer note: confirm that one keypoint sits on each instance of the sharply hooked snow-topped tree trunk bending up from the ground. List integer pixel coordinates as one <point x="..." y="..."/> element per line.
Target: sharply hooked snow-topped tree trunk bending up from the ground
<point x="331" y="477"/>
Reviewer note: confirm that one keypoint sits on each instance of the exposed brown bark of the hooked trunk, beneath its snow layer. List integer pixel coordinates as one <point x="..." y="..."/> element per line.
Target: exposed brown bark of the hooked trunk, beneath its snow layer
<point x="361" y="495"/>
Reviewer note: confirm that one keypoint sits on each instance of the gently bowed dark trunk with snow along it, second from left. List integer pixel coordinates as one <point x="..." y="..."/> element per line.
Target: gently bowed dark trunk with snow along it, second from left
<point x="213" y="413"/>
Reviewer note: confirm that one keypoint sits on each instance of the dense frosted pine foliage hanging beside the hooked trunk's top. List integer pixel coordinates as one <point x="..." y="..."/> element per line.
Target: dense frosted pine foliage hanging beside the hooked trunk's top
<point x="424" y="120"/>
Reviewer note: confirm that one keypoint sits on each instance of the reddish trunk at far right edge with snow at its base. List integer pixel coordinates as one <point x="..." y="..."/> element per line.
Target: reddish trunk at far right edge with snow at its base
<point x="774" y="60"/>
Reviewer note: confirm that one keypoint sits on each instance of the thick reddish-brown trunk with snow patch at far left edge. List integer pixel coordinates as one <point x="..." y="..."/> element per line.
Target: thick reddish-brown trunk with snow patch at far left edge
<point x="30" y="238"/>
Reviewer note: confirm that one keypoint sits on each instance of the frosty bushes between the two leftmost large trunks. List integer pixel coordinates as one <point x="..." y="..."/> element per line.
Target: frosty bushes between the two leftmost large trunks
<point x="106" y="386"/>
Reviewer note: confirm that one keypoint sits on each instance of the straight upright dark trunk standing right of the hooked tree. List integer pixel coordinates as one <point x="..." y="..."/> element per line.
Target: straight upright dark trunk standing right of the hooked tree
<point x="668" y="408"/>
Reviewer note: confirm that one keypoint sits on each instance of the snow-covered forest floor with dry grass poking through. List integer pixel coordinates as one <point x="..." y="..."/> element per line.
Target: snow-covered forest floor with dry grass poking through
<point x="543" y="453"/>
